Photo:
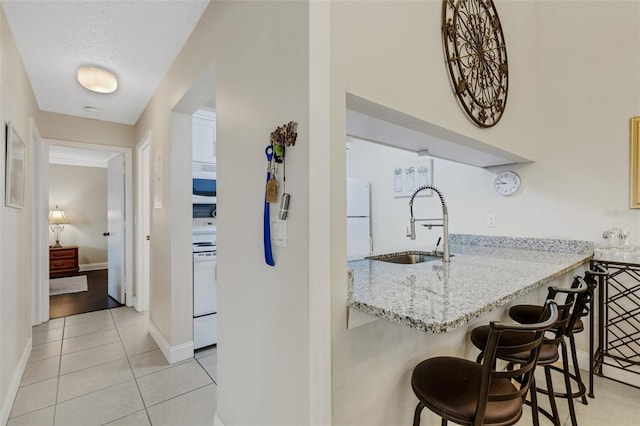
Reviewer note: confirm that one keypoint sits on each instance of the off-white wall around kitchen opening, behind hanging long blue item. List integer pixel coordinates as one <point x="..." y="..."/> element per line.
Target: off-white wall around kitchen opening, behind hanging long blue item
<point x="260" y="53"/>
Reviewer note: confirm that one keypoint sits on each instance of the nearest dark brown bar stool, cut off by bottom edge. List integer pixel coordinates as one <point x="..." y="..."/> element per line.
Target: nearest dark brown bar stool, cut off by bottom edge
<point x="472" y="393"/>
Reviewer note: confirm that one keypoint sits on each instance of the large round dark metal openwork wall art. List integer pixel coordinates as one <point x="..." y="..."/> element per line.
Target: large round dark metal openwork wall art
<point x="476" y="55"/>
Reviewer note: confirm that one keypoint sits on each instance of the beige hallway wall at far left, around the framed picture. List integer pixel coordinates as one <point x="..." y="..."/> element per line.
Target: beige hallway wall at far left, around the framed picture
<point x="17" y="104"/>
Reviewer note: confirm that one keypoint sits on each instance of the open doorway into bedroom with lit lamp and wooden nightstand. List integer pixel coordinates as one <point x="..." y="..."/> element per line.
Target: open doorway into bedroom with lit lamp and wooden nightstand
<point x="88" y="156"/>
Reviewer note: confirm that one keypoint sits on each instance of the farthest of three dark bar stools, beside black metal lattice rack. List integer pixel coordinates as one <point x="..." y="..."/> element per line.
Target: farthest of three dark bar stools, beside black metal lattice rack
<point x="527" y="314"/>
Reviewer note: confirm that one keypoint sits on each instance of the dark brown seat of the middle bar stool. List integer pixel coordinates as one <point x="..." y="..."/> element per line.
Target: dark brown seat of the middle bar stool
<point x="548" y="351"/>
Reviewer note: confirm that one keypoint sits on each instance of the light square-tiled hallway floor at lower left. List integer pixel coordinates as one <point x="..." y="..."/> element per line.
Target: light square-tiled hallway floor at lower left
<point x="104" y="368"/>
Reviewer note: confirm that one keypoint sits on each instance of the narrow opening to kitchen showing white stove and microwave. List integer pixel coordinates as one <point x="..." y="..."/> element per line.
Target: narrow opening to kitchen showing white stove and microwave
<point x="194" y="115"/>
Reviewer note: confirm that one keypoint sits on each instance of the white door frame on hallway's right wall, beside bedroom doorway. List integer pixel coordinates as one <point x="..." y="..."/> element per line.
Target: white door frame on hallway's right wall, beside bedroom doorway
<point x="141" y="303"/>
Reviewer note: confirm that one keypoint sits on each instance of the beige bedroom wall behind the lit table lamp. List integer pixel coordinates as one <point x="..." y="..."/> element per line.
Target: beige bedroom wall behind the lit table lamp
<point x="82" y="193"/>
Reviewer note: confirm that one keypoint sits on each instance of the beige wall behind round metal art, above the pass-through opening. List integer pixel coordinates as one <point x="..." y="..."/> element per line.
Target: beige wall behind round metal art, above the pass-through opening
<point x="390" y="52"/>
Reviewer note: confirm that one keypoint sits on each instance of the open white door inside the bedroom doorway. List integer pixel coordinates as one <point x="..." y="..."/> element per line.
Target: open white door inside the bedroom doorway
<point x="115" y="224"/>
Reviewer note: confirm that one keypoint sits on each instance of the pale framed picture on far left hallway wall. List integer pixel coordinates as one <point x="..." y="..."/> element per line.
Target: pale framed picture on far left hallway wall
<point x="15" y="168"/>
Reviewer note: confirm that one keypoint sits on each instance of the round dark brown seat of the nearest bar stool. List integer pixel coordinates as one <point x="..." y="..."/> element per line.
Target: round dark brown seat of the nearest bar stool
<point x="451" y="385"/>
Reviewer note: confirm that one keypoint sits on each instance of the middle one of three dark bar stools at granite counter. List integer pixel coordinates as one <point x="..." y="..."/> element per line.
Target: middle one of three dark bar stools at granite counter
<point x="569" y="312"/>
